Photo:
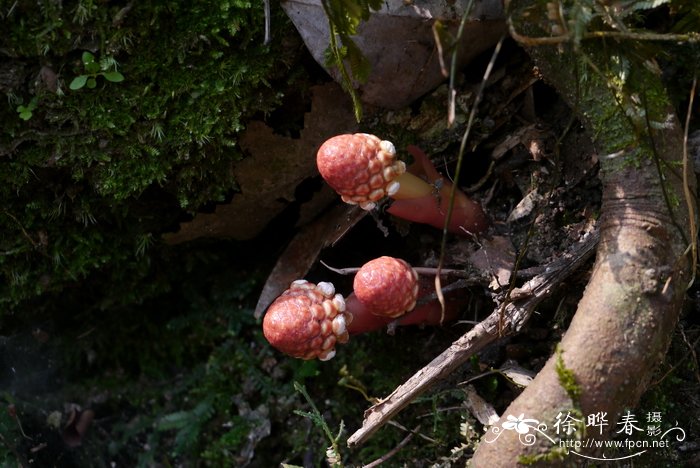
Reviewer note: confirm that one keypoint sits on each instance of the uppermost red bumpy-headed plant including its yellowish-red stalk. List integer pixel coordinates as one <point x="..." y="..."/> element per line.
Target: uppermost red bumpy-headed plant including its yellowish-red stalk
<point x="364" y="169"/>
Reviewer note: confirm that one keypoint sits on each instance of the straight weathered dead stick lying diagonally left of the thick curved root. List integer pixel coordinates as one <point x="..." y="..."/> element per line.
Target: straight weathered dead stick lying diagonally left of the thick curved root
<point x="507" y="319"/>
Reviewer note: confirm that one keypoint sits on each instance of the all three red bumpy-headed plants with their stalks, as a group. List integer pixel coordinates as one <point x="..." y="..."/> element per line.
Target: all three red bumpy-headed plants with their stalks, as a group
<point x="308" y="320"/>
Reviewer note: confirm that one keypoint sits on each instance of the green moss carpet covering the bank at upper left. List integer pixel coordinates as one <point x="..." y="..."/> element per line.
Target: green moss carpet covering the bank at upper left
<point x="96" y="170"/>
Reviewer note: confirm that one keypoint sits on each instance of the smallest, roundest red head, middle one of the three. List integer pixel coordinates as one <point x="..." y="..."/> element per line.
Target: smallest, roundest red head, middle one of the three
<point x="387" y="286"/>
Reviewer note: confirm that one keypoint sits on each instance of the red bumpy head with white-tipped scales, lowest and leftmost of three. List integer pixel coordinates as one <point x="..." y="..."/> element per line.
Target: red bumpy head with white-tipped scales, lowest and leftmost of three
<point x="307" y="320"/>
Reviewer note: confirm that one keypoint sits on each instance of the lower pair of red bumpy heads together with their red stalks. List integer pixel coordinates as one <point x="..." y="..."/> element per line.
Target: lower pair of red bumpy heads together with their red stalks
<point x="308" y="320"/>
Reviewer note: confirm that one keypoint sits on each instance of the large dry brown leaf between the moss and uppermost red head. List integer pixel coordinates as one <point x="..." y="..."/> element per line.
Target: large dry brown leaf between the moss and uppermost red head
<point x="275" y="166"/>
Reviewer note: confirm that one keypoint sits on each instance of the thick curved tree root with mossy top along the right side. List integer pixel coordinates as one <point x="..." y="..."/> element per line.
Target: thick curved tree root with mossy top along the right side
<point x="630" y="308"/>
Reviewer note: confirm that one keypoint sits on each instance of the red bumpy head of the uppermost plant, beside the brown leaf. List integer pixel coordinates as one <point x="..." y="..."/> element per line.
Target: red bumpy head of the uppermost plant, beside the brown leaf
<point x="360" y="167"/>
